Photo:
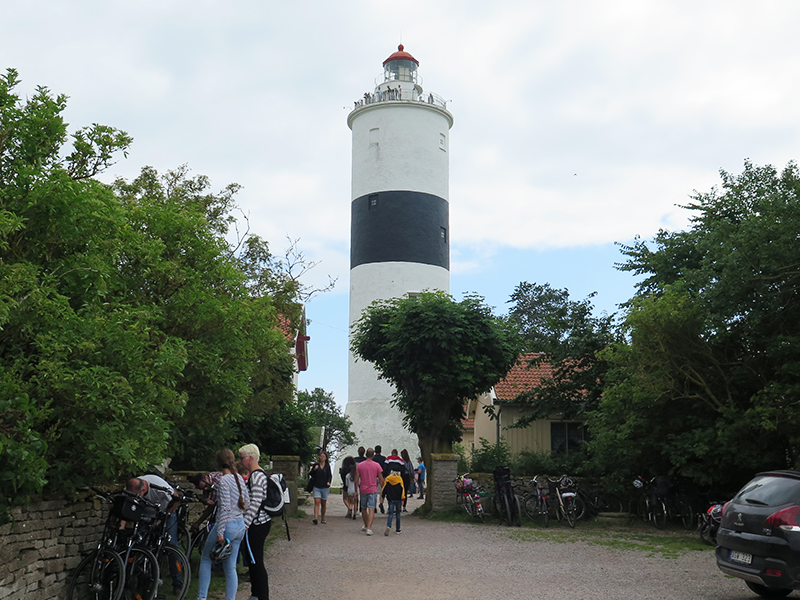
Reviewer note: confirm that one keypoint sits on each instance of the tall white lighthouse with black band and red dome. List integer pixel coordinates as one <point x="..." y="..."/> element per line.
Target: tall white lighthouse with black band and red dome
<point x="399" y="232"/>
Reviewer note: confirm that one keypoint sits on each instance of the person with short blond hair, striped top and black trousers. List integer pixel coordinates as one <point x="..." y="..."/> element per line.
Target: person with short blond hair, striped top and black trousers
<point x="257" y="522"/>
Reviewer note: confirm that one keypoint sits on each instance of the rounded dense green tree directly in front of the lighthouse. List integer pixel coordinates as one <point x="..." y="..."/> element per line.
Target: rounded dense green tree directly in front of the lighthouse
<point x="436" y="352"/>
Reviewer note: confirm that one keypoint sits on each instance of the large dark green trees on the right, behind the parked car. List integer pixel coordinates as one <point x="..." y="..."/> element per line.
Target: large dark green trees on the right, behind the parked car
<point x="707" y="383"/>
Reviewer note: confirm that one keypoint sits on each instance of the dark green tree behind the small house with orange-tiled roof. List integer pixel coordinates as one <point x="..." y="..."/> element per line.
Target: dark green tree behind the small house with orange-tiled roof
<point x="565" y="334"/>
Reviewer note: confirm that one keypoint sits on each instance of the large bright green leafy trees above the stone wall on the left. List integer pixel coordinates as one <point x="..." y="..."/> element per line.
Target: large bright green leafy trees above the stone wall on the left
<point x="130" y="330"/>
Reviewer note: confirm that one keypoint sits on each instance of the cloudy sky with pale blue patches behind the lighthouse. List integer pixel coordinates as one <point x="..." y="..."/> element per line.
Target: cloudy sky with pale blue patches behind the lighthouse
<point x="577" y="124"/>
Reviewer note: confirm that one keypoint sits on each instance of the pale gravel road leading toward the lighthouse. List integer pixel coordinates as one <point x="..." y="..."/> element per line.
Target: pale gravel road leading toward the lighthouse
<point x="453" y="561"/>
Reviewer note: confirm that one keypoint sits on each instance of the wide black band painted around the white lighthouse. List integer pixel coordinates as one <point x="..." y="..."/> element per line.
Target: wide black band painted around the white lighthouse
<point x="400" y="227"/>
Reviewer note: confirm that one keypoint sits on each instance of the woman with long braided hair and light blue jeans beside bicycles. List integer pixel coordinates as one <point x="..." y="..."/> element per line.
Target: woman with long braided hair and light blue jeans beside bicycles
<point x="232" y="498"/>
